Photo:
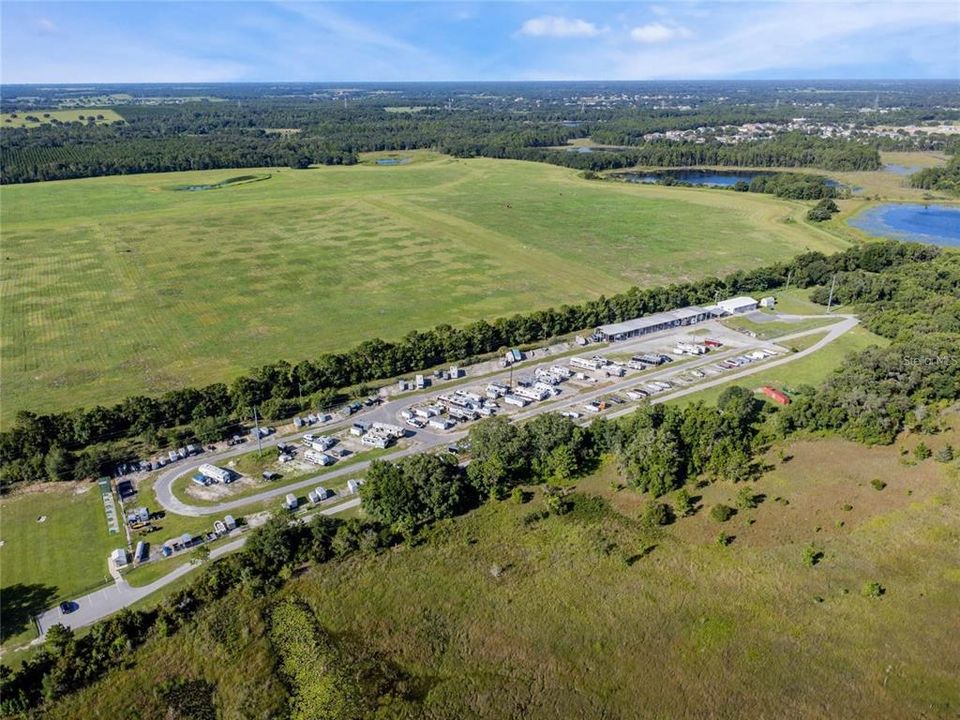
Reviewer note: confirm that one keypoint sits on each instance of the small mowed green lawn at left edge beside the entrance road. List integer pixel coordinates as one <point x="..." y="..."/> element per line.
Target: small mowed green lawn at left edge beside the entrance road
<point x="42" y="563"/>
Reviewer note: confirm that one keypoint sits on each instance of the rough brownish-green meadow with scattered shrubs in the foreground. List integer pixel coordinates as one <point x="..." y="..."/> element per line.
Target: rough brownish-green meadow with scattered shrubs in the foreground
<point x="592" y="615"/>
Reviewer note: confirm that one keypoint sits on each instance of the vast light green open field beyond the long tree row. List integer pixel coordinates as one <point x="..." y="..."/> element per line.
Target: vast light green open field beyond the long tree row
<point x="121" y="285"/>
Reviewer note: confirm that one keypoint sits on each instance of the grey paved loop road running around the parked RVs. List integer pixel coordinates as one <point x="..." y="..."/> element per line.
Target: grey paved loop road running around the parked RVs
<point x="425" y="439"/>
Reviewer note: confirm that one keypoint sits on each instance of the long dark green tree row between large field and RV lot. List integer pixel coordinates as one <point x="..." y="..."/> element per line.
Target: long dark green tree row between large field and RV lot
<point x="75" y="444"/>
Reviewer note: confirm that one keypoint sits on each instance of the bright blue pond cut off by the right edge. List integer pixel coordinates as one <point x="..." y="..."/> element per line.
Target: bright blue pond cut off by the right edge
<point x="937" y="224"/>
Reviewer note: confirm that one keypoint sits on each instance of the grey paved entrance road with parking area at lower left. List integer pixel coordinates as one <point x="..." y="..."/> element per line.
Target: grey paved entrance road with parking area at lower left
<point x="106" y="601"/>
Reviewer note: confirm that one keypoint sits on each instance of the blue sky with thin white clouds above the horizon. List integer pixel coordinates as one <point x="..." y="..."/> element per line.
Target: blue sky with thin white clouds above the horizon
<point x="396" y="41"/>
